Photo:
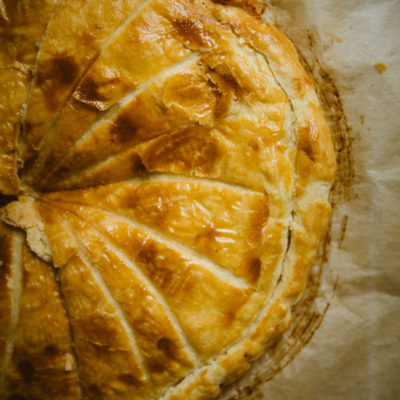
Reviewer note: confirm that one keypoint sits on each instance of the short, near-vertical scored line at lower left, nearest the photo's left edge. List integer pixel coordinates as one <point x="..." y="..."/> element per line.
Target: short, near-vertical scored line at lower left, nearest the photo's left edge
<point x="16" y="279"/>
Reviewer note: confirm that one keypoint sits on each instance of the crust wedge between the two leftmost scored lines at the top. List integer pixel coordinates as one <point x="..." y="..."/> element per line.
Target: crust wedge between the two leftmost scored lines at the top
<point x="76" y="33"/>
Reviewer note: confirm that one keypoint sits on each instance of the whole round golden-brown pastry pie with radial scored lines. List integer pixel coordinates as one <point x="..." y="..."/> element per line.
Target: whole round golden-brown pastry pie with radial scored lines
<point x="169" y="167"/>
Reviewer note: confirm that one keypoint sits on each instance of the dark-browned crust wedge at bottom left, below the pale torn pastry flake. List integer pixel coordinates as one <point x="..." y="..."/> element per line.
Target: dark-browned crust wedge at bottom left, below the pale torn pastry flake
<point x="43" y="363"/>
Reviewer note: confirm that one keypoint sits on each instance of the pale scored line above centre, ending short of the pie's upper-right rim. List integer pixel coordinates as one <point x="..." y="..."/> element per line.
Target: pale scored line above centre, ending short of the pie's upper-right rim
<point x="113" y="111"/>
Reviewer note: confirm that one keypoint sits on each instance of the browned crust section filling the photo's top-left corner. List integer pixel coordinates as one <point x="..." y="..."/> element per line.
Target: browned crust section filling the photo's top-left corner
<point x="22" y="24"/>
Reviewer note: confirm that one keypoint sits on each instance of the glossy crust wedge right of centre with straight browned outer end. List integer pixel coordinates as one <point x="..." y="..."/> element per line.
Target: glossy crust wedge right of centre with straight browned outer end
<point x="222" y="222"/>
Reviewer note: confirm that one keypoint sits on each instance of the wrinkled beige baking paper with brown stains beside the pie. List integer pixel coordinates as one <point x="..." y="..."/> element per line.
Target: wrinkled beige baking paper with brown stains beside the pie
<point x="355" y="352"/>
